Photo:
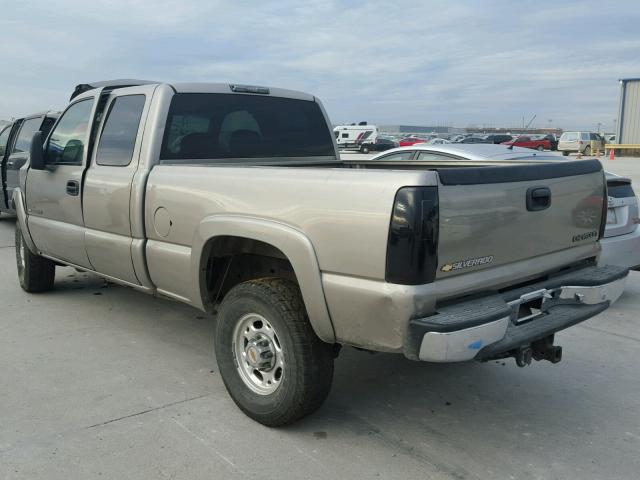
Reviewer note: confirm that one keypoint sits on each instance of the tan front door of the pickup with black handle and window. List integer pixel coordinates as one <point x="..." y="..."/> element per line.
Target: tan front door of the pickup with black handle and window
<point x="54" y="195"/>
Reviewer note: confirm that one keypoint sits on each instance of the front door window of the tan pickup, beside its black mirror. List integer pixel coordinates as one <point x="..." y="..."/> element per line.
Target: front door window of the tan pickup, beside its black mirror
<point x="66" y="144"/>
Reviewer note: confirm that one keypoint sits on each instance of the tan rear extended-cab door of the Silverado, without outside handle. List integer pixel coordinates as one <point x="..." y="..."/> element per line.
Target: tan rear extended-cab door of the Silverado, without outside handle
<point x="108" y="183"/>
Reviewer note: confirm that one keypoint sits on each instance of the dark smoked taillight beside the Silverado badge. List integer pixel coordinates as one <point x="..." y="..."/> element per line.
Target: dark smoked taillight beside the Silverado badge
<point x="412" y="247"/>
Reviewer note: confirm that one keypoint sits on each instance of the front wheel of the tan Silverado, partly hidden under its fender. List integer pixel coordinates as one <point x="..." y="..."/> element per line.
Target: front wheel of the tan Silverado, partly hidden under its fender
<point x="36" y="273"/>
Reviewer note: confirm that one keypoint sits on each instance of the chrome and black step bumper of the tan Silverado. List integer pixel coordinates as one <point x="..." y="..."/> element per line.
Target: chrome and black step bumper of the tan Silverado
<point x="490" y="326"/>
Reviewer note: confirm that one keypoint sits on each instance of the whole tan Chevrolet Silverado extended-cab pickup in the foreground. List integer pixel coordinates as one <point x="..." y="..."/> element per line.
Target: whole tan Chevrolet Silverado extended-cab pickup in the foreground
<point x="233" y="199"/>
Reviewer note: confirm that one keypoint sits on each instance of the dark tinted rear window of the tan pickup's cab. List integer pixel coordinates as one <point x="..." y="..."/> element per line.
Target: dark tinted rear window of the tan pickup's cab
<point x="217" y="128"/>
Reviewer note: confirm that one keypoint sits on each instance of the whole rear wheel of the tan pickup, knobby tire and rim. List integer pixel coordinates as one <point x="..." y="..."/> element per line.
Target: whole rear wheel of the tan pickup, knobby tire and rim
<point x="272" y="363"/>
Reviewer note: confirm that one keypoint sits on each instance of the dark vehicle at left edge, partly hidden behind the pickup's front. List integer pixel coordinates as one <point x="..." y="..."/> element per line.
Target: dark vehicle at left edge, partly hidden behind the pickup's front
<point x="15" y="142"/>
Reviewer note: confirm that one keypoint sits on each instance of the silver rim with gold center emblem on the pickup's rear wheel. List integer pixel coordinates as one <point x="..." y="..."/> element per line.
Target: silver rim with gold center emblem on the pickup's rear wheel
<point x="258" y="354"/>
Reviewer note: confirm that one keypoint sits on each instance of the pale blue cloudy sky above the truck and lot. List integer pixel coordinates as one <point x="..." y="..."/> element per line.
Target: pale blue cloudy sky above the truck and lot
<point x="429" y="62"/>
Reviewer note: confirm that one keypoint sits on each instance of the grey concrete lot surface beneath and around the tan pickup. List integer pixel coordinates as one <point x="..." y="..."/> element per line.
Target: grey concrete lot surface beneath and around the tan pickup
<point x="99" y="381"/>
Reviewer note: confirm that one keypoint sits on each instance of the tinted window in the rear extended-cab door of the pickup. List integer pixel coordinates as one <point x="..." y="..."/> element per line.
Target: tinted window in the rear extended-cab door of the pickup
<point x="120" y="131"/>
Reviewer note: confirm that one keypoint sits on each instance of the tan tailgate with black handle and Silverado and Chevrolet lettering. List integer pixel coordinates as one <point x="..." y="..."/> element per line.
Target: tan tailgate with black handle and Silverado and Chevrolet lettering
<point x="490" y="216"/>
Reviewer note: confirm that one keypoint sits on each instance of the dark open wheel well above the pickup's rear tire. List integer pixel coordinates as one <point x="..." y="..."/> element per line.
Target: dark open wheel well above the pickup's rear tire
<point x="229" y="260"/>
